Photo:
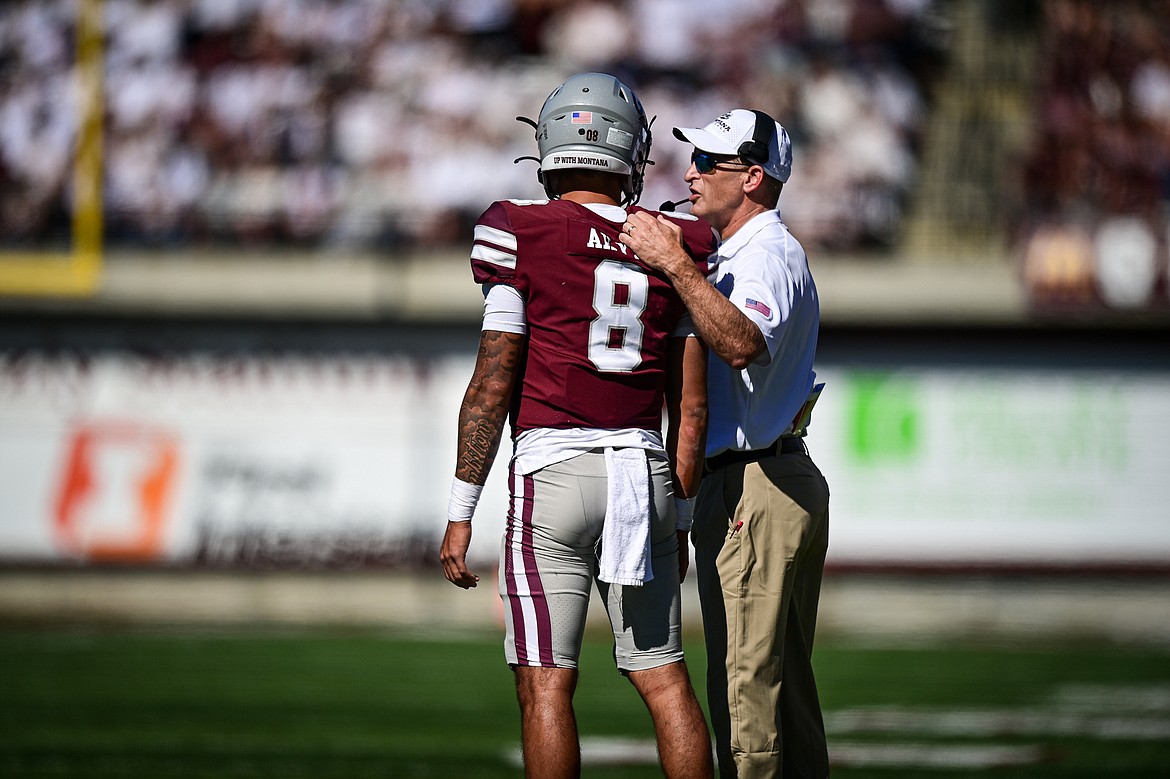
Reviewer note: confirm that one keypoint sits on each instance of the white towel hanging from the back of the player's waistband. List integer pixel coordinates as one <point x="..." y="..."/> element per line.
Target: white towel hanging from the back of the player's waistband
<point x="625" y="554"/>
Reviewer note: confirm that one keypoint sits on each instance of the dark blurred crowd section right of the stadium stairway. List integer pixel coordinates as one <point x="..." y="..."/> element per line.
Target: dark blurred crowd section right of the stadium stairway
<point x="1095" y="206"/>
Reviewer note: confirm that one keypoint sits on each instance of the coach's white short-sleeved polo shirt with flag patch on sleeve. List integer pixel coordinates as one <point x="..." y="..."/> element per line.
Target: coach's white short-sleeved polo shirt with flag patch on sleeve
<point x="765" y="272"/>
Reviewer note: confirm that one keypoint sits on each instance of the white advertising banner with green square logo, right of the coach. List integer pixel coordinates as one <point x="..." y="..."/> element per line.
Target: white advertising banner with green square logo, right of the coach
<point x="996" y="466"/>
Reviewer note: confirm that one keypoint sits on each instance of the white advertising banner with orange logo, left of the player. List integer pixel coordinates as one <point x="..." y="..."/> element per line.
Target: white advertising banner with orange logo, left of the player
<point x="230" y="461"/>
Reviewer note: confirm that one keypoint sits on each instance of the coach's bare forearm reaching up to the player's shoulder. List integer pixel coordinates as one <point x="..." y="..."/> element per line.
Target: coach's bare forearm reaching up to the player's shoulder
<point x="725" y="328"/>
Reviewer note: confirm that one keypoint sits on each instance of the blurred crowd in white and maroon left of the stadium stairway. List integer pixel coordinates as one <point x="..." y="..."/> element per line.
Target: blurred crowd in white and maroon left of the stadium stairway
<point x="391" y="125"/>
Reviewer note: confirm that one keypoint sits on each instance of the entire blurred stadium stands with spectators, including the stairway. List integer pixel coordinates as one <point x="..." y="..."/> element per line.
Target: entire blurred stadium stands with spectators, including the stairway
<point x="988" y="134"/>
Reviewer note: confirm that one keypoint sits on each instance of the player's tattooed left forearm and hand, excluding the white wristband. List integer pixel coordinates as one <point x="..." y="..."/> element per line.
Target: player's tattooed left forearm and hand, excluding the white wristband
<point x="481" y="424"/>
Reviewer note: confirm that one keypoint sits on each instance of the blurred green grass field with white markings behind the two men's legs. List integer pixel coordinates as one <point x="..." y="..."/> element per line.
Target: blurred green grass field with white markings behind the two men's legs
<point x="154" y="705"/>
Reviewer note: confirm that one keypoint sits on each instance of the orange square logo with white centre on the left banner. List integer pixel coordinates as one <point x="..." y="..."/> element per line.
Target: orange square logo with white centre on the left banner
<point x="114" y="493"/>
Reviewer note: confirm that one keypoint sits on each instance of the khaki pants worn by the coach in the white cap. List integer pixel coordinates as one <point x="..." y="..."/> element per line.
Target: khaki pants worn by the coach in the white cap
<point x="761" y="536"/>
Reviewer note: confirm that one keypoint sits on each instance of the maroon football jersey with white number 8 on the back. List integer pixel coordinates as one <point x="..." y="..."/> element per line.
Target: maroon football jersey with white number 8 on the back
<point x="598" y="319"/>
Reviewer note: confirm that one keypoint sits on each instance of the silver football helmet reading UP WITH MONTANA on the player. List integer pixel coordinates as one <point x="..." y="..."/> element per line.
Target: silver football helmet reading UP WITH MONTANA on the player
<point x="595" y="122"/>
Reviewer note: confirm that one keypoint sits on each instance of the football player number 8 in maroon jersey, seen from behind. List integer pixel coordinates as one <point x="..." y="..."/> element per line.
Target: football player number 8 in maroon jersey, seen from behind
<point x="583" y="347"/>
